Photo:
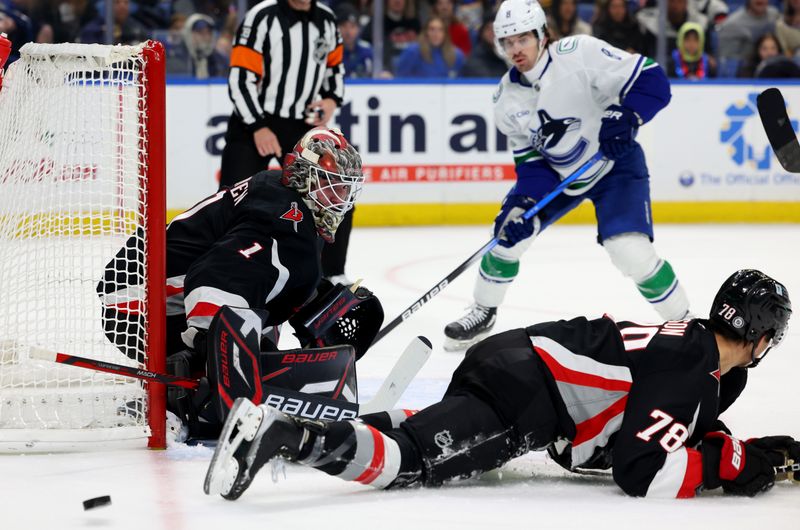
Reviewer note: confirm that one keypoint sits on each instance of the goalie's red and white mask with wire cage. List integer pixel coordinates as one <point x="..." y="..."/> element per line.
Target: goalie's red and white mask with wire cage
<point x="326" y="170"/>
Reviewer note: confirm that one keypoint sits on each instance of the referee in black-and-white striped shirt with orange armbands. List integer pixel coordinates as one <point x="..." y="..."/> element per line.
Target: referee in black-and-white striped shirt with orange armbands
<point x="286" y="77"/>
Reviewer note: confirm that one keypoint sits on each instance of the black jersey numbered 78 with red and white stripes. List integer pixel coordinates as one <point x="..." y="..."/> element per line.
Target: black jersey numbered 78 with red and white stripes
<point x="646" y="393"/>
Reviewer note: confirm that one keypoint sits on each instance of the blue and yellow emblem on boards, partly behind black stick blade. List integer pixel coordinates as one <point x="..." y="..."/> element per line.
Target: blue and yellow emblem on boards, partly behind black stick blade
<point x="745" y="138"/>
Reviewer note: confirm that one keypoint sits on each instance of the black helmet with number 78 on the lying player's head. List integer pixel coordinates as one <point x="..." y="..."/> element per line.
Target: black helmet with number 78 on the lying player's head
<point x="751" y="305"/>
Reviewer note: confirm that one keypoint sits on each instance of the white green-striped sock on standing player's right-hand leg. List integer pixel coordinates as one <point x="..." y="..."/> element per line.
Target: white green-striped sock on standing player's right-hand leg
<point x="635" y="256"/>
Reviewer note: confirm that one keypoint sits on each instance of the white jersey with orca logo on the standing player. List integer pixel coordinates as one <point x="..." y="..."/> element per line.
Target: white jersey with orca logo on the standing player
<point x="553" y="111"/>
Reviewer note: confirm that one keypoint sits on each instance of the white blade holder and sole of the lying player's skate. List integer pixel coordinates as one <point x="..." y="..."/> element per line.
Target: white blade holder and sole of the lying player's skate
<point x="224" y="469"/>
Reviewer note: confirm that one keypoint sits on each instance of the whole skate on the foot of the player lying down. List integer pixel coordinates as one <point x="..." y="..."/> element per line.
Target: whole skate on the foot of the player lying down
<point x="252" y="436"/>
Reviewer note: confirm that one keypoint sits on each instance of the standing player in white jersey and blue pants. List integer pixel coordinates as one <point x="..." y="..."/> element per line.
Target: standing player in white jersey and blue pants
<point x="559" y="104"/>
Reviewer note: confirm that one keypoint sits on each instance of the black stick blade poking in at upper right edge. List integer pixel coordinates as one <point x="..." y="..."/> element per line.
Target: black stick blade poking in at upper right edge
<point x="778" y="126"/>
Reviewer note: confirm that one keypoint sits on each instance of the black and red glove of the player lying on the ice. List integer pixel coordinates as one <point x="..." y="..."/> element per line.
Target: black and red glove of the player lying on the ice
<point x="740" y="468"/>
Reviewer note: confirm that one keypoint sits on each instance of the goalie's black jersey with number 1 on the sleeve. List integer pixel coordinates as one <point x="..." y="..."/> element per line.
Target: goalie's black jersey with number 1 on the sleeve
<point x="253" y="245"/>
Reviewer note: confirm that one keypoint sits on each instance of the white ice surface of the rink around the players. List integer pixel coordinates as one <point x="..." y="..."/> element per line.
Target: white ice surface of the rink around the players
<point x="564" y="274"/>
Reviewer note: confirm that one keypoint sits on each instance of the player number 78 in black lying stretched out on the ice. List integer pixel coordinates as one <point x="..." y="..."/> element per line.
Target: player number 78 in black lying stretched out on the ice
<point x="643" y="400"/>
